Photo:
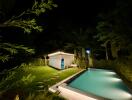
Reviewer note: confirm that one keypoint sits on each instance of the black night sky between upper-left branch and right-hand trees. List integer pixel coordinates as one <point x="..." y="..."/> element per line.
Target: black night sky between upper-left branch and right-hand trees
<point x="83" y="13"/>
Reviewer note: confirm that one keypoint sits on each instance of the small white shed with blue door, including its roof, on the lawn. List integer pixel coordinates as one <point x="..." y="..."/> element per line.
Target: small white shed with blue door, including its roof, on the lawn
<point x="60" y="60"/>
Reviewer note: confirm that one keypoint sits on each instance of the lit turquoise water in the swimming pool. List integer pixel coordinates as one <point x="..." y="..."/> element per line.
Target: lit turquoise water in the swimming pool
<point x="102" y="83"/>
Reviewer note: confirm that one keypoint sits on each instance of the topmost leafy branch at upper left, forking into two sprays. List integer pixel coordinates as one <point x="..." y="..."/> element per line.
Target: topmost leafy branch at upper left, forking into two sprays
<point x="29" y="24"/>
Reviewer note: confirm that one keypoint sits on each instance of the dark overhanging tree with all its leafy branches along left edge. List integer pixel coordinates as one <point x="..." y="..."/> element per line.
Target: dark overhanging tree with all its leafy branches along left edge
<point x="15" y="25"/>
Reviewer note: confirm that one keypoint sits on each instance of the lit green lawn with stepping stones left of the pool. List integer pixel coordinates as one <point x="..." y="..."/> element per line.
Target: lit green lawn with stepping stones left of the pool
<point x="32" y="82"/>
